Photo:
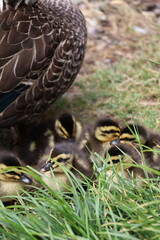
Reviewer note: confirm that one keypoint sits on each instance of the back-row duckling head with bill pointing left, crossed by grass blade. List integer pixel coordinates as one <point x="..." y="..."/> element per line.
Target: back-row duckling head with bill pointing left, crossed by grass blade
<point x="132" y="134"/>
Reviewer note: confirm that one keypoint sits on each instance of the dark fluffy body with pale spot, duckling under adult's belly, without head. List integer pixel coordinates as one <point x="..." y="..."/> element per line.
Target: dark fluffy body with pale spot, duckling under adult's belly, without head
<point x="35" y="145"/>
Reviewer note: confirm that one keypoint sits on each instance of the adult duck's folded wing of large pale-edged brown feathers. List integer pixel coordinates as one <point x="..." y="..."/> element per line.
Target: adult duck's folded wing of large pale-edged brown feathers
<point x="25" y="46"/>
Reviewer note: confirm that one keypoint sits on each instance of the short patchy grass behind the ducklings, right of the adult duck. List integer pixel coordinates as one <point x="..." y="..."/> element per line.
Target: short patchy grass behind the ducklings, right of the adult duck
<point x="125" y="90"/>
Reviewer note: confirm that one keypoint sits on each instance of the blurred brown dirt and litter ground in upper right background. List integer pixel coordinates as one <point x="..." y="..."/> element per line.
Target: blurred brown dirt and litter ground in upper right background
<point x="116" y="29"/>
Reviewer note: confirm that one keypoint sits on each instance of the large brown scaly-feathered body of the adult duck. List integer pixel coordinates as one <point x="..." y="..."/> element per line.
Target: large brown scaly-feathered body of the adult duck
<point x="42" y="45"/>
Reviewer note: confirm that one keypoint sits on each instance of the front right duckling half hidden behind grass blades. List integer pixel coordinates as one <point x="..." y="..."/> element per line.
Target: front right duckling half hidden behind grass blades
<point x="125" y="155"/>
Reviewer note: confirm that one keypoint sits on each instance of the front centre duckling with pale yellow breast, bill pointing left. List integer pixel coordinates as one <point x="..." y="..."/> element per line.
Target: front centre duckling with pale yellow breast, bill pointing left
<point x="64" y="155"/>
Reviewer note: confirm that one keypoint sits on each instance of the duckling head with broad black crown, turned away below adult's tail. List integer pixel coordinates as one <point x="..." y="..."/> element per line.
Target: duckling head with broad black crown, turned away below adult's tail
<point x="66" y="126"/>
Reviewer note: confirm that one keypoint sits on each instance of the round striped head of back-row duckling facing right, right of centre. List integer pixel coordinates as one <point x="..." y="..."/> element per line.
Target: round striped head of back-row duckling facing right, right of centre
<point x="106" y="130"/>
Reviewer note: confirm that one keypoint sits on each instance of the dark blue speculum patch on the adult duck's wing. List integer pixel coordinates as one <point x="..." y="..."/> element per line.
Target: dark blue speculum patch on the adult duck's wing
<point x="9" y="97"/>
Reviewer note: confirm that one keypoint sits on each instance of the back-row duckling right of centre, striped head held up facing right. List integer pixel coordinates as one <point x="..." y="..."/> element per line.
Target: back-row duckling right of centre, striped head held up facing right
<point x="97" y="137"/>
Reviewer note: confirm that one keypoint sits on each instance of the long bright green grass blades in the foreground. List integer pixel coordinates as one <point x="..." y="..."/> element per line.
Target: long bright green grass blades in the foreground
<point x="106" y="210"/>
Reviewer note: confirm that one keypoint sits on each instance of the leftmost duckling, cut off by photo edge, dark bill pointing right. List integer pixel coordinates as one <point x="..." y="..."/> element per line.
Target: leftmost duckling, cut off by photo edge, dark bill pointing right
<point x="11" y="179"/>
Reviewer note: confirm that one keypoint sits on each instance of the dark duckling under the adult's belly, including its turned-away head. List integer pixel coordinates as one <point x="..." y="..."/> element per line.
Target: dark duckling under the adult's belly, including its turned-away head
<point x="38" y="140"/>
